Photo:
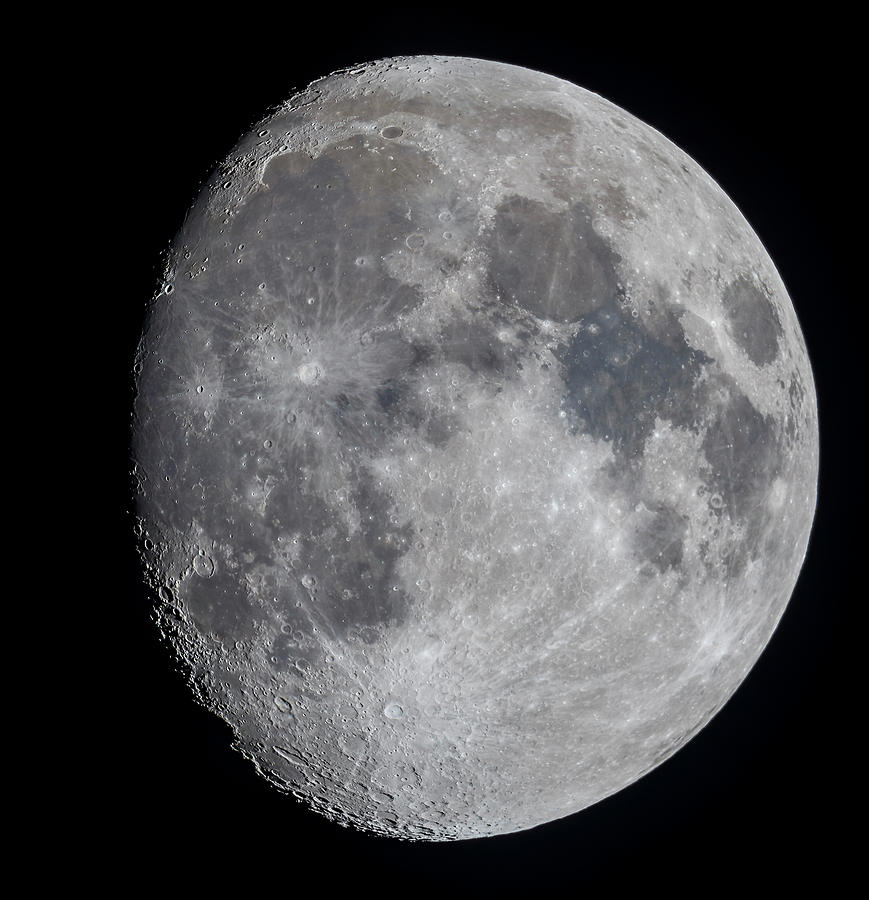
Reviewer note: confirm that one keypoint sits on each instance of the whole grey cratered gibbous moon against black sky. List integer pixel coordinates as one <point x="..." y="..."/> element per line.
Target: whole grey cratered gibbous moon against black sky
<point x="475" y="447"/>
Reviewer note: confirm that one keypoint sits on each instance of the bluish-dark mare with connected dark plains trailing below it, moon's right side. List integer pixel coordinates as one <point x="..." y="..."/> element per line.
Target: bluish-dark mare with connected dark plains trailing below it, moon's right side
<point x="621" y="374"/>
